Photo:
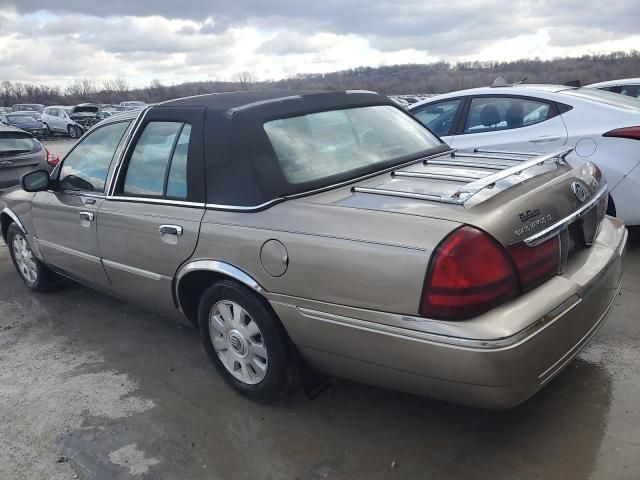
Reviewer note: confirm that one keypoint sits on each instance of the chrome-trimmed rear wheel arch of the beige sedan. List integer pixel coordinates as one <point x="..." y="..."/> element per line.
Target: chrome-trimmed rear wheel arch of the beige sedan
<point x="195" y="277"/>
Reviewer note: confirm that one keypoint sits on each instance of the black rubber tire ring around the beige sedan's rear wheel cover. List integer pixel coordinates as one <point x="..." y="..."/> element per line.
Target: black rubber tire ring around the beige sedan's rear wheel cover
<point x="280" y="377"/>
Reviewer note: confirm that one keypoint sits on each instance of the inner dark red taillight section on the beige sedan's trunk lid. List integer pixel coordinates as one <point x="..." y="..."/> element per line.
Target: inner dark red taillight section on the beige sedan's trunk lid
<point x="536" y="265"/>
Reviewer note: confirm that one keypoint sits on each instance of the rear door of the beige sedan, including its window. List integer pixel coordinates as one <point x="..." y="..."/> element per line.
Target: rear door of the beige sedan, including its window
<point x="149" y="224"/>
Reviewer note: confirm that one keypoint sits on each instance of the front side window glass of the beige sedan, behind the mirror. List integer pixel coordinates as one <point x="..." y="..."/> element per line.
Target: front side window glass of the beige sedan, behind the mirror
<point x="87" y="166"/>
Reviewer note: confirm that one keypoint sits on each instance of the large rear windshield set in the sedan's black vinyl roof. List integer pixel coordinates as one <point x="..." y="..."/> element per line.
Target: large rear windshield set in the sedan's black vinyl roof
<point x="334" y="143"/>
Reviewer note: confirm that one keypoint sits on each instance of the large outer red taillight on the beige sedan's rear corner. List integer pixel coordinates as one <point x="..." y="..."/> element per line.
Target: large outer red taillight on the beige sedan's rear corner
<point x="469" y="274"/>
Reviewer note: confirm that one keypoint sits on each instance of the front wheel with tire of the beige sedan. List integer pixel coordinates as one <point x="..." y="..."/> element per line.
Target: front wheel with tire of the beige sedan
<point x="33" y="272"/>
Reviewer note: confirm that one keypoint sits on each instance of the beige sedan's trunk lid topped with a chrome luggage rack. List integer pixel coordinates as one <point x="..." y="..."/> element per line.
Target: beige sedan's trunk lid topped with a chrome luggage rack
<point x="512" y="196"/>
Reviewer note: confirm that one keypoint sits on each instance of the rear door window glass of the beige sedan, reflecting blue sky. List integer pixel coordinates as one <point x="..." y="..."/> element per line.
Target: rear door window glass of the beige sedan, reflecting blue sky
<point x="158" y="165"/>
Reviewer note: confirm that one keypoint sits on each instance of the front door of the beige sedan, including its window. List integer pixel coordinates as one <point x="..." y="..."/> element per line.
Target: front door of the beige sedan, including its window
<point x="65" y="218"/>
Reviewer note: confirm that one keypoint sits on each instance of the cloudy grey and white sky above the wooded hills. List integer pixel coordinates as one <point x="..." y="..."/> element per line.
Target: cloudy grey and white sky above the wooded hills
<point x="58" y="41"/>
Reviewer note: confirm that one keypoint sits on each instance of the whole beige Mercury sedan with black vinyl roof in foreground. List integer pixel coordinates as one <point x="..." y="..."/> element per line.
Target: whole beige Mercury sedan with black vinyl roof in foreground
<point x="331" y="232"/>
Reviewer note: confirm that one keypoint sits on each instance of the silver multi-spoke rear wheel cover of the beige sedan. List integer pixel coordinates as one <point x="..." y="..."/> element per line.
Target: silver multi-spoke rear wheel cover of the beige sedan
<point x="238" y="342"/>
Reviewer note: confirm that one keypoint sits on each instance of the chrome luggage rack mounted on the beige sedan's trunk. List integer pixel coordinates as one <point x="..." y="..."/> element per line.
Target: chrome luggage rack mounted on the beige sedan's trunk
<point x="472" y="184"/>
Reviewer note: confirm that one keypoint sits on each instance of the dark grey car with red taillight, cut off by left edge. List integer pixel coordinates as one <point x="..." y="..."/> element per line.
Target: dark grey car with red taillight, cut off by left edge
<point x="21" y="153"/>
